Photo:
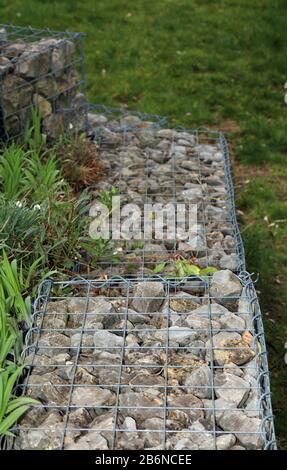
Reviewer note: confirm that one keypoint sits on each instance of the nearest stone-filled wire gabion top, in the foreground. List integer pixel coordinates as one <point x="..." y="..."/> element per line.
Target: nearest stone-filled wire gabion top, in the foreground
<point x="146" y="380"/>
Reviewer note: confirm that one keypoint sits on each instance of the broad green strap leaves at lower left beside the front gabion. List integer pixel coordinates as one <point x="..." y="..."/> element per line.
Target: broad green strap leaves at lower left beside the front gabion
<point x="11" y="407"/>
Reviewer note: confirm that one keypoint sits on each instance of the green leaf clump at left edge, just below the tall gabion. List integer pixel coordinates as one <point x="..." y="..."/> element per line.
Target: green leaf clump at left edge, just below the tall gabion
<point x="12" y="162"/>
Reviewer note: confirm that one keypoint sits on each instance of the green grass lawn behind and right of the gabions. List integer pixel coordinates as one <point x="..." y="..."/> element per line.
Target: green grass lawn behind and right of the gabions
<point x="202" y="62"/>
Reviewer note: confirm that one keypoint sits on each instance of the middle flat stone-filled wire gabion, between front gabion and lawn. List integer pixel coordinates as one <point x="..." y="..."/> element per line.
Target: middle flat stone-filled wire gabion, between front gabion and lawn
<point x="172" y="166"/>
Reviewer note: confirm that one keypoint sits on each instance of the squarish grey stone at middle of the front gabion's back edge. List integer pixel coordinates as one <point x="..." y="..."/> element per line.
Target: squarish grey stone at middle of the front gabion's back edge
<point x="148" y="296"/>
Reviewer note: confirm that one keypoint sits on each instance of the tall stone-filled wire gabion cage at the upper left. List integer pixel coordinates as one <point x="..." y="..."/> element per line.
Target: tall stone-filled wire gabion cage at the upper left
<point x="41" y="69"/>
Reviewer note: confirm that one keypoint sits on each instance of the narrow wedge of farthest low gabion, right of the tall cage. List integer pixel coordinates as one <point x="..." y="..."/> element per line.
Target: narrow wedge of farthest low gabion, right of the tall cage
<point x="120" y="120"/>
